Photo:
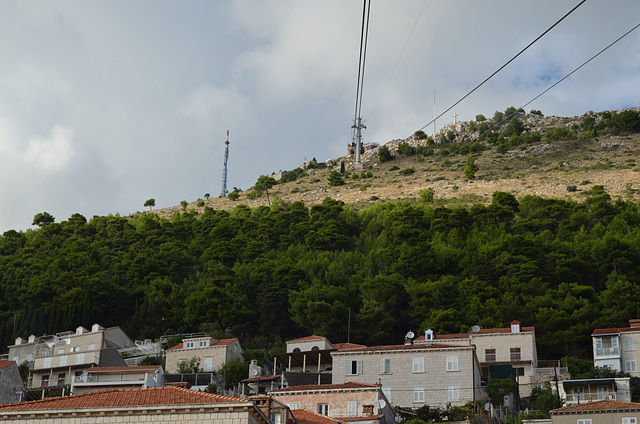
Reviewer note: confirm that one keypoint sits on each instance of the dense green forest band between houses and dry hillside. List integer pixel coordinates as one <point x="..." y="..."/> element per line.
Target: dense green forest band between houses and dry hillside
<point x="272" y="273"/>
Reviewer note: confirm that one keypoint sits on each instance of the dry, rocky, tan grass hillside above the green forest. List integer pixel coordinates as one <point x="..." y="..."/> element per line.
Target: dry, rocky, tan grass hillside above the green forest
<point x="544" y="168"/>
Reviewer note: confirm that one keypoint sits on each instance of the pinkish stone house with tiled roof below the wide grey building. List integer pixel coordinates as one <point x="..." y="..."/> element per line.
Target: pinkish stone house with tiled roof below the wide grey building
<point x="353" y="402"/>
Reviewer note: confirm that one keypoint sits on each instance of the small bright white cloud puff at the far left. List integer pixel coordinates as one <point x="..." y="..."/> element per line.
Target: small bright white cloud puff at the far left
<point x="51" y="154"/>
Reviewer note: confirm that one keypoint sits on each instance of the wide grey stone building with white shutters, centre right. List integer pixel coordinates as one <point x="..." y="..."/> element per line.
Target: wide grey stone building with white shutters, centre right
<point x="413" y="375"/>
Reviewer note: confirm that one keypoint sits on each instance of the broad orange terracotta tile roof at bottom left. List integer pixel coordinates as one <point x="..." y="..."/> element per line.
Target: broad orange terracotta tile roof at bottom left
<point x="123" y="398"/>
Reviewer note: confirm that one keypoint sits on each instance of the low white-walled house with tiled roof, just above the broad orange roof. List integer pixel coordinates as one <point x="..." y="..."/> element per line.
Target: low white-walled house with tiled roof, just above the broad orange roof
<point x="108" y="378"/>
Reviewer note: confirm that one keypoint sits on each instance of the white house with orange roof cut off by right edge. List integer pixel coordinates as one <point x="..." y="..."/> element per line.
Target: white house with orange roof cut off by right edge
<point x="618" y="348"/>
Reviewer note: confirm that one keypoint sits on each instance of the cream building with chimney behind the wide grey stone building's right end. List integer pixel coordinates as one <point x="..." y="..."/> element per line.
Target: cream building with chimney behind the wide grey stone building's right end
<point x="501" y="351"/>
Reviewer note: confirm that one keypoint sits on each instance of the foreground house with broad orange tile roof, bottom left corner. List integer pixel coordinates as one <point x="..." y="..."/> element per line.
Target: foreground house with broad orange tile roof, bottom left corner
<point x="165" y="404"/>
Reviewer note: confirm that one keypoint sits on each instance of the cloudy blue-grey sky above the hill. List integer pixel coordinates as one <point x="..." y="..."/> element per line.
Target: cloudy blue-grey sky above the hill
<point x="107" y="103"/>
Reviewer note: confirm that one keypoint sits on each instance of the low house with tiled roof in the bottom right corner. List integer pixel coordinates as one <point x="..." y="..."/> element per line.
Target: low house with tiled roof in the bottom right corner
<point x="600" y="412"/>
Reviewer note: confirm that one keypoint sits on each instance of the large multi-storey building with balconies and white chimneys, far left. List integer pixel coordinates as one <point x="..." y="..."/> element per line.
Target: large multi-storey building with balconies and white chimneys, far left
<point x="57" y="359"/>
